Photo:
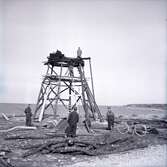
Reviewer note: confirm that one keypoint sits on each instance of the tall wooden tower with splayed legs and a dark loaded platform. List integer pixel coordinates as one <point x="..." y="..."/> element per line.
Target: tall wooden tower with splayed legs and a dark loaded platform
<point x="60" y="78"/>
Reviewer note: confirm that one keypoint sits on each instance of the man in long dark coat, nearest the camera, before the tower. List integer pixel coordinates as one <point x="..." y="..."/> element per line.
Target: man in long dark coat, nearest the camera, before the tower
<point x="73" y="119"/>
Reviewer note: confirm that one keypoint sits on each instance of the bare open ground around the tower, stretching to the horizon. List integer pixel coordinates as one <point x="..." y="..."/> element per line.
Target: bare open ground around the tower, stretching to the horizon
<point x="112" y="145"/>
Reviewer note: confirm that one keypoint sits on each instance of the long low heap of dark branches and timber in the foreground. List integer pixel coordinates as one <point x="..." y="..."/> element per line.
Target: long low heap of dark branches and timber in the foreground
<point x="76" y="146"/>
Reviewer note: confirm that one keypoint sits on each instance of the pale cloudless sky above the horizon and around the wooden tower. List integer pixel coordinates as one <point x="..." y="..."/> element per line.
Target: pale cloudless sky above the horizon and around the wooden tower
<point x="126" y="40"/>
